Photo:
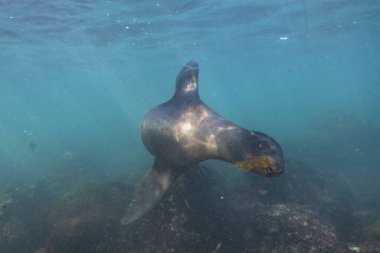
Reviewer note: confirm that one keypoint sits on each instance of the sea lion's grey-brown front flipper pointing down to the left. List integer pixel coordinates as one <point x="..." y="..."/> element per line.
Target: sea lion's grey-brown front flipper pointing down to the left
<point x="151" y="190"/>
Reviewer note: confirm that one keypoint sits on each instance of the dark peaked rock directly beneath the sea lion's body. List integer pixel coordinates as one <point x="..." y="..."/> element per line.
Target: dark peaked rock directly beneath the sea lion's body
<point x="187" y="220"/>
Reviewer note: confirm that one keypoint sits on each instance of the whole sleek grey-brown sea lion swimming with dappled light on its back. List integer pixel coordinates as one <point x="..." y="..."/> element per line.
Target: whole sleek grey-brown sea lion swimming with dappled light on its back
<point x="184" y="132"/>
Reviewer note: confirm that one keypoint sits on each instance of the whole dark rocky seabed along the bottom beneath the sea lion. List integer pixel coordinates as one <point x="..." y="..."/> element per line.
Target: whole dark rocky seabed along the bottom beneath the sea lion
<point x="200" y="213"/>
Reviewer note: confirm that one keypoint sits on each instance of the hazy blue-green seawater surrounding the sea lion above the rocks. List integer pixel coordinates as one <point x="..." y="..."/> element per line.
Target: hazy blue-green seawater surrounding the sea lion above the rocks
<point x="77" y="77"/>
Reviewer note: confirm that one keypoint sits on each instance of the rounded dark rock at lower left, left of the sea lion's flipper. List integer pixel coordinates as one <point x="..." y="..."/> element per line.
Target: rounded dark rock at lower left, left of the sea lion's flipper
<point x="87" y="219"/>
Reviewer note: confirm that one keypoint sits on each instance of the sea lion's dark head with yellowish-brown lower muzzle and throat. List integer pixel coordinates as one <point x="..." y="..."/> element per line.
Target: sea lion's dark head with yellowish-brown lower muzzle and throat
<point x="265" y="156"/>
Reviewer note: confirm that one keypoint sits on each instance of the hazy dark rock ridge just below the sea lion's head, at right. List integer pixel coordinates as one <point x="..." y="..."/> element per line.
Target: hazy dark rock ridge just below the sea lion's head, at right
<point x="303" y="185"/>
